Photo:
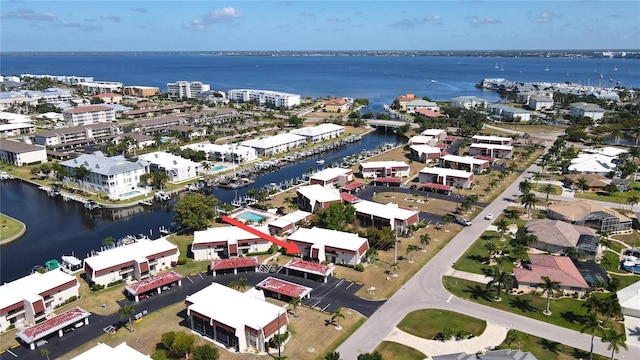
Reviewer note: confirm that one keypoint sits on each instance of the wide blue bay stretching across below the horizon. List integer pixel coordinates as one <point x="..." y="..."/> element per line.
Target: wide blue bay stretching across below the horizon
<point x="378" y="78"/>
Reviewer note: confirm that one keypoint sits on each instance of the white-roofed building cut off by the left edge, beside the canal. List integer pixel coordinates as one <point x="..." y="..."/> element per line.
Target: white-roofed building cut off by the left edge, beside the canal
<point x="25" y="301"/>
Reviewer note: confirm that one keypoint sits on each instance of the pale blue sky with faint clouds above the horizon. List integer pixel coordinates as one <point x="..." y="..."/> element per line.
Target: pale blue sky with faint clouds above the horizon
<point x="160" y="25"/>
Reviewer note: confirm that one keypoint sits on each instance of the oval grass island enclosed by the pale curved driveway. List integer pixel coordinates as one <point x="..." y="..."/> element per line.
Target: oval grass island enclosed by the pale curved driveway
<point x="427" y="323"/>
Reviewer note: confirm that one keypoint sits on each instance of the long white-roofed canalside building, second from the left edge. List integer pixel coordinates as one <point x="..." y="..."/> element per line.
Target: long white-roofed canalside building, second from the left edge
<point x="137" y="260"/>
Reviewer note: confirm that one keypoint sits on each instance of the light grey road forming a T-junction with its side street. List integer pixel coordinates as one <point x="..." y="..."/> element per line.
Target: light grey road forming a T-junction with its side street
<point x="425" y="291"/>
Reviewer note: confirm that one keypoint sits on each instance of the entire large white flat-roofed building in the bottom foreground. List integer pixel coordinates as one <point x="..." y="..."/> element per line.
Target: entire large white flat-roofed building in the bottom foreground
<point x="235" y="320"/>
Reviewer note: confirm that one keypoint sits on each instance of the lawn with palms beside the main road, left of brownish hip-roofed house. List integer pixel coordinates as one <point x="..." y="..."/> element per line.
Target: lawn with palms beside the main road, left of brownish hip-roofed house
<point x="475" y="259"/>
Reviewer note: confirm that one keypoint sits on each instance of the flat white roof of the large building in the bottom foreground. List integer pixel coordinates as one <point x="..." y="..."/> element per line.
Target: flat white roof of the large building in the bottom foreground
<point x="234" y="308"/>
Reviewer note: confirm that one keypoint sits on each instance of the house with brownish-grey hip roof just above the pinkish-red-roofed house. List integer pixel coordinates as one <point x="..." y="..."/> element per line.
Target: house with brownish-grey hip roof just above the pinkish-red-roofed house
<point x="556" y="237"/>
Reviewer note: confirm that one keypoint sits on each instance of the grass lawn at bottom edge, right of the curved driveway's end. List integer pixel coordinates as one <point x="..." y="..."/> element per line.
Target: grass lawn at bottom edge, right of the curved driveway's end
<point x="546" y="349"/>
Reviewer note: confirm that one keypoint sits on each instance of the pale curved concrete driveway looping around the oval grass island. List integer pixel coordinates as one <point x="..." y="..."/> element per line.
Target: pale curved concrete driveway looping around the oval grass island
<point x="492" y="336"/>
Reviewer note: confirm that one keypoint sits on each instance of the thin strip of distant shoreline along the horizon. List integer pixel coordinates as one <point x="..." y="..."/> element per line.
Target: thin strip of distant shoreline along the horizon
<point x="587" y="53"/>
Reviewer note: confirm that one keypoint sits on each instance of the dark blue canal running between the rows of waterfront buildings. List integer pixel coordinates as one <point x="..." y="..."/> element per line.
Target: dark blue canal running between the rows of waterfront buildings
<point x="56" y="228"/>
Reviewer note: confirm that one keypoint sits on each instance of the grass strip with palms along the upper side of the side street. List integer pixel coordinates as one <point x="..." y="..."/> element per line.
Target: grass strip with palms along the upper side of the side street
<point x="565" y="312"/>
